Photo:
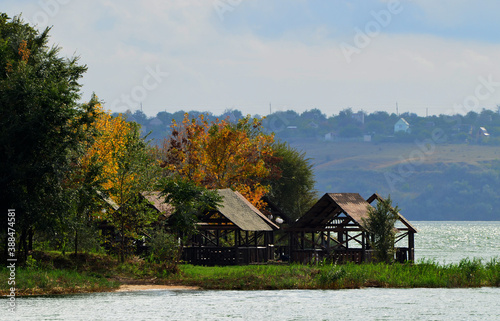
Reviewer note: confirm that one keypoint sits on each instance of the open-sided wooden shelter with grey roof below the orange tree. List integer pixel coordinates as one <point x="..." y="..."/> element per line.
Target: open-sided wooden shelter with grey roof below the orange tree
<point x="235" y="233"/>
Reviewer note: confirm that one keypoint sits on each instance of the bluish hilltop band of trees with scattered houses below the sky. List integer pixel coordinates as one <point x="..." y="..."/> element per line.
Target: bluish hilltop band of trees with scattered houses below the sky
<point x="473" y="128"/>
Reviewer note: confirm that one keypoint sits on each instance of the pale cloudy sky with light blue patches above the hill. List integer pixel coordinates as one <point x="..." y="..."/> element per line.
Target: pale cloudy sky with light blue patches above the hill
<point x="262" y="56"/>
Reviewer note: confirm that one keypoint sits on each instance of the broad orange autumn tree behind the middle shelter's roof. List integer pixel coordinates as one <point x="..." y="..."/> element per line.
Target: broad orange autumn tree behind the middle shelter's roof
<point x="220" y="154"/>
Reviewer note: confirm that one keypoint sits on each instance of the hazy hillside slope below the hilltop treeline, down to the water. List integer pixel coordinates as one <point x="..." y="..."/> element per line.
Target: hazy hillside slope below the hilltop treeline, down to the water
<point x="431" y="182"/>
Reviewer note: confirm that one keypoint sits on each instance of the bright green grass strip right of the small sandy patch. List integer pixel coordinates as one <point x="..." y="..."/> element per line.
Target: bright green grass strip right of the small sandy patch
<point x="467" y="273"/>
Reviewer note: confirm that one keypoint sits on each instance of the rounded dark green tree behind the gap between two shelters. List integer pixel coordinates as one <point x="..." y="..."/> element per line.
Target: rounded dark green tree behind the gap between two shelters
<point x="293" y="190"/>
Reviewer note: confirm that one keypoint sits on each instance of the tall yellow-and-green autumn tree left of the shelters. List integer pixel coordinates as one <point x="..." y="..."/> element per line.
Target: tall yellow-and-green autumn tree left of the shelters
<point x="128" y="168"/>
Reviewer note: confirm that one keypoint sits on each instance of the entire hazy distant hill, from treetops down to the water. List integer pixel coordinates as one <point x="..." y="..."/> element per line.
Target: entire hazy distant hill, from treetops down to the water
<point x="452" y="175"/>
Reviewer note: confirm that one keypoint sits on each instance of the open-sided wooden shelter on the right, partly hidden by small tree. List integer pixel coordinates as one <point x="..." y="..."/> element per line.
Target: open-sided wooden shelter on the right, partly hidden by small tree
<point x="334" y="228"/>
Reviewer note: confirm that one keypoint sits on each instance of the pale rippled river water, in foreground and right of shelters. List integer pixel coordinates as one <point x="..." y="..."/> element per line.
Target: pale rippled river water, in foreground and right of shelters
<point x="444" y="242"/>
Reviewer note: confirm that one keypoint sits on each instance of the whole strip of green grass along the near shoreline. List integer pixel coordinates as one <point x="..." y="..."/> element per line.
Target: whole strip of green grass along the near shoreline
<point x="59" y="274"/>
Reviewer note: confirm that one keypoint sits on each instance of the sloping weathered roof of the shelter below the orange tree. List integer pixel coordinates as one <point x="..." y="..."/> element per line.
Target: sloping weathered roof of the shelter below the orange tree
<point x="236" y="208"/>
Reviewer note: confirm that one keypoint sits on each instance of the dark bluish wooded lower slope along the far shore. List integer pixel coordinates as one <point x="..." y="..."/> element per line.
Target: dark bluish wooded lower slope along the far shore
<point x="448" y="192"/>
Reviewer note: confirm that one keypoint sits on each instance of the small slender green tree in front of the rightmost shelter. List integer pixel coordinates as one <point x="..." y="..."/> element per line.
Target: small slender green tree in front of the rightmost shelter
<point x="380" y="226"/>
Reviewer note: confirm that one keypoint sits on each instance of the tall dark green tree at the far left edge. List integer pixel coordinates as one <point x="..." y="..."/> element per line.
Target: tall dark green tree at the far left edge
<point x="40" y="125"/>
